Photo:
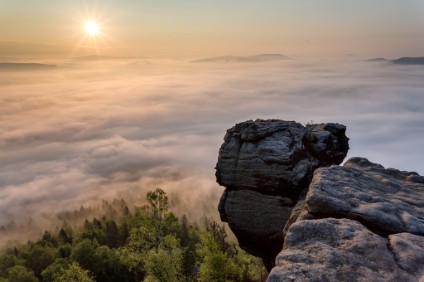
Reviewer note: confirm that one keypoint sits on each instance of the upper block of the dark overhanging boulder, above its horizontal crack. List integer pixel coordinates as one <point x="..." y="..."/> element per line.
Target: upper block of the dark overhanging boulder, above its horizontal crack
<point x="276" y="156"/>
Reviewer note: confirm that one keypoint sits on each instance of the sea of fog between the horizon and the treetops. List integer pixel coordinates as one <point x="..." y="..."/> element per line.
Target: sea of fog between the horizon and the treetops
<point x="93" y="130"/>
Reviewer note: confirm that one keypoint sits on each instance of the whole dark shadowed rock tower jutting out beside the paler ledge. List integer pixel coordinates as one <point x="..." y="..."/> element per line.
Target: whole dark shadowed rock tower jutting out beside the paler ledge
<point x="265" y="165"/>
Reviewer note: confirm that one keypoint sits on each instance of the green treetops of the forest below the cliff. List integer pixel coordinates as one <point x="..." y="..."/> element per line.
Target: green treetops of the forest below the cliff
<point x="148" y="244"/>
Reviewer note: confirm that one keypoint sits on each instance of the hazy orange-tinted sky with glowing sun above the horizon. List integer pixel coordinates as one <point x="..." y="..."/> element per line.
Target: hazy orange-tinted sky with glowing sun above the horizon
<point x="193" y="28"/>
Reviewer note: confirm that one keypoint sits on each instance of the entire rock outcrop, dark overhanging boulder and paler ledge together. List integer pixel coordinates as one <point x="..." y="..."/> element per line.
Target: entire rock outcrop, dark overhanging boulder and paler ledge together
<point x="287" y="202"/>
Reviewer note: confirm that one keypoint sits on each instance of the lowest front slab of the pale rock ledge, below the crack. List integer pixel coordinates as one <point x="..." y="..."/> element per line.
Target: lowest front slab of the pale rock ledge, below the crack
<point x="336" y="250"/>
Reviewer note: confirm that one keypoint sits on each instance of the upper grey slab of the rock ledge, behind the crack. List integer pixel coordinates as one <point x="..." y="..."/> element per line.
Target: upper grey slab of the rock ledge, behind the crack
<point x="387" y="201"/>
